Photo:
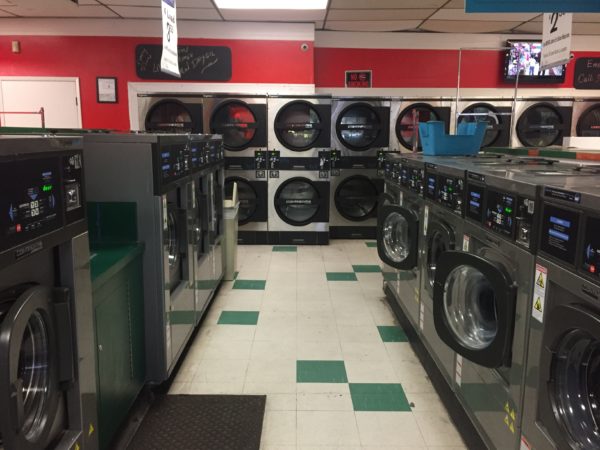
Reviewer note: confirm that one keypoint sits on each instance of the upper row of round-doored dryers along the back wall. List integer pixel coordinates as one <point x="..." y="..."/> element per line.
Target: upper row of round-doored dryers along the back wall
<point x="356" y="125"/>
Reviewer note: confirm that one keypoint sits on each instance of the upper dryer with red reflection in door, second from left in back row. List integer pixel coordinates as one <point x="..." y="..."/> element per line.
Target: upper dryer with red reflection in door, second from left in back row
<point x="240" y="119"/>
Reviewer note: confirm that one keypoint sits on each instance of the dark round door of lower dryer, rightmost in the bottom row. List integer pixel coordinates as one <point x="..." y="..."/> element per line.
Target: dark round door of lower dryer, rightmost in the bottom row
<point x="356" y="198"/>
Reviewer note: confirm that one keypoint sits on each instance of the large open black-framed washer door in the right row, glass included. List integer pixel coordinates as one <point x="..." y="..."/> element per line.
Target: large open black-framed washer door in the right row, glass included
<point x="474" y="308"/>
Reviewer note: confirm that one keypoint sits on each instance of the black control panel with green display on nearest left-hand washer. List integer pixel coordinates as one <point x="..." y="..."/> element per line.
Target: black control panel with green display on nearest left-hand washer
<point x="38" y="196"/>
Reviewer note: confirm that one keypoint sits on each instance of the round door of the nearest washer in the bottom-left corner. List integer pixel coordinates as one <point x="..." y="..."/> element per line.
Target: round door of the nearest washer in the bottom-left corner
<point x="32" y="407"/>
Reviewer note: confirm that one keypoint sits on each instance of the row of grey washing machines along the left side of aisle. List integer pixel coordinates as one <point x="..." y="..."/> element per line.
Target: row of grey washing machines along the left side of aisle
<point x="48" y="378"/>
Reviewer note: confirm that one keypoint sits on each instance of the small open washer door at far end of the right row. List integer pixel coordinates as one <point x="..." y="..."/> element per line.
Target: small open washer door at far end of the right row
<point x="398" y="236"/>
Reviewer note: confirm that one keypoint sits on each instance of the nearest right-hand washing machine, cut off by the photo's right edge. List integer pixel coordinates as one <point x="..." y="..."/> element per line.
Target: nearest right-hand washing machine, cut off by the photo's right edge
<point x="561" y="409"/>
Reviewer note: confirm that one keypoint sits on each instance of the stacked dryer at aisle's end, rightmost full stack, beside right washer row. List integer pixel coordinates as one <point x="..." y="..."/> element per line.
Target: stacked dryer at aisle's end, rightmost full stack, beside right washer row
<point x="359" y="136"/>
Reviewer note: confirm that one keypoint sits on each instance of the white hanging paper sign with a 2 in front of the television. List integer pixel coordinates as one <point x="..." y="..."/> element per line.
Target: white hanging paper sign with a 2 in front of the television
<point x="556" y="41"/>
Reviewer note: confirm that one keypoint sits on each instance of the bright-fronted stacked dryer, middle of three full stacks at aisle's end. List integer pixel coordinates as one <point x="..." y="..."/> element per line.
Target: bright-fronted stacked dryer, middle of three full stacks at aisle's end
<point x="298" y="168"/>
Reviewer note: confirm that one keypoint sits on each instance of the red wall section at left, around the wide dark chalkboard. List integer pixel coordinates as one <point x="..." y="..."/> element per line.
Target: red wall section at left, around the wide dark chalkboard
<point x="89" y="57"/>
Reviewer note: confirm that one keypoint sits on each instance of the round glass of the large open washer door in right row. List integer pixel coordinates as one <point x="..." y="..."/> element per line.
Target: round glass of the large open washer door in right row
<point x="470" y="307"/>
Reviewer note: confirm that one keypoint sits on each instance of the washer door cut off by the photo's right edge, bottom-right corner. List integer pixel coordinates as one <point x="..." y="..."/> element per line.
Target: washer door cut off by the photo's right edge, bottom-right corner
<point x="569" y="387"/>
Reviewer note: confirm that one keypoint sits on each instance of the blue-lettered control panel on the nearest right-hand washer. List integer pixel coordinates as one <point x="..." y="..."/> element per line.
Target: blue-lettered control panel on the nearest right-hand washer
<point x="559" y="232"/>
